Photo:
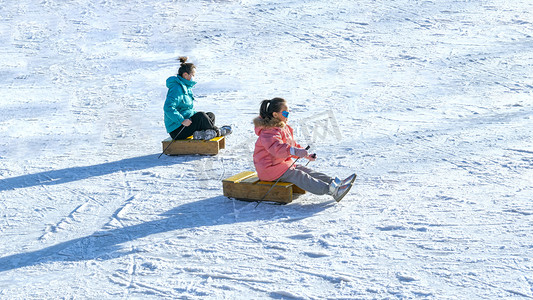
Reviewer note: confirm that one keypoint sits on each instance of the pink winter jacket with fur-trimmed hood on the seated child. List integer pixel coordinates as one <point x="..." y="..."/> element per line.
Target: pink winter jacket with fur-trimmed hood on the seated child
<point x="272" y="155"/>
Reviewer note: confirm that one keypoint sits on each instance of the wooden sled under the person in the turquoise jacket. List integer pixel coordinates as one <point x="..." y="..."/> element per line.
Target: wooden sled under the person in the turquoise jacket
<point x="190" y="146"/>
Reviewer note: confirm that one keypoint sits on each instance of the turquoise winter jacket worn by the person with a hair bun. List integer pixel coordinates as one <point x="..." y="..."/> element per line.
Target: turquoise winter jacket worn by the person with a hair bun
<point x="179" y="103"/>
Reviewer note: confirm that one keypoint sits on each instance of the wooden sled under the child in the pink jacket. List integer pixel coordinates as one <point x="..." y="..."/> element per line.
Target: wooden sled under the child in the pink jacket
<point x="247" y="186"/>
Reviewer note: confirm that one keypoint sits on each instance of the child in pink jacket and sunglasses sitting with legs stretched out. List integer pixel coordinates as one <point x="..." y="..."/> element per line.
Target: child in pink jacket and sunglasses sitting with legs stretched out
<point x="275" y="149"/>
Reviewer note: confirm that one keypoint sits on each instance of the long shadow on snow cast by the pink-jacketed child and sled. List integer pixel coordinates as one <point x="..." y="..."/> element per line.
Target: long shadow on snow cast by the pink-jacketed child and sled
<point x="105" y="244"/>
